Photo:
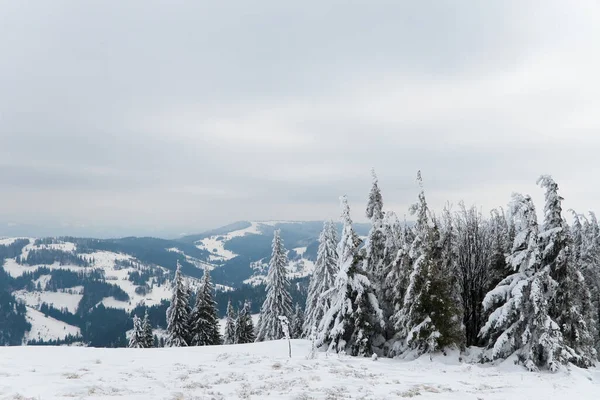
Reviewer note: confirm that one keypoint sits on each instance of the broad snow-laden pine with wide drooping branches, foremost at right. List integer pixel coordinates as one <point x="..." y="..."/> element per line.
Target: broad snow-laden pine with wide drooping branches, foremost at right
<point x="520" y="321"/>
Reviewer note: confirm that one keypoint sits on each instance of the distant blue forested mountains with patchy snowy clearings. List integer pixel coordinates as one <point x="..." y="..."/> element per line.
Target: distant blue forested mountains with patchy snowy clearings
<point x="65" y="289"/>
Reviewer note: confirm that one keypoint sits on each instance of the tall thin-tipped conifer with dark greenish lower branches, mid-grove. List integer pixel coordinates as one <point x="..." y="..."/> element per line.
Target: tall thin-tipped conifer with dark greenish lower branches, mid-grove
<point x="429" y="318"/>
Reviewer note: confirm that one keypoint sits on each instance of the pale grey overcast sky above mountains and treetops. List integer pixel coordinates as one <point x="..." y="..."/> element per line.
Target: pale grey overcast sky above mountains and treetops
<point x="165" y="117"/>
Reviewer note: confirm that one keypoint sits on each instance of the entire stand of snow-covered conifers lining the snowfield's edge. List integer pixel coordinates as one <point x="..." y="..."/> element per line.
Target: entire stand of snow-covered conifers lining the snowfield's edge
<point x="506" y="285"/>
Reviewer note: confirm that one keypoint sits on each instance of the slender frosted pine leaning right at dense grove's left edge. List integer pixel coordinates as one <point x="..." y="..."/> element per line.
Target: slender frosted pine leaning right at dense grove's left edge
<point x="323" y="278"/>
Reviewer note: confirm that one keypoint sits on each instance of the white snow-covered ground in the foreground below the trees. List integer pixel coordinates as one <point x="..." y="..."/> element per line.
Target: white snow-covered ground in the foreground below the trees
<point x="262" y="371"/>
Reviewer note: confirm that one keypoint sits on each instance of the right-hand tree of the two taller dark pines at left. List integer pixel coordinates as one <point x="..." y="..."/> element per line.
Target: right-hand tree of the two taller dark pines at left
<point x="204" y="324"/>
